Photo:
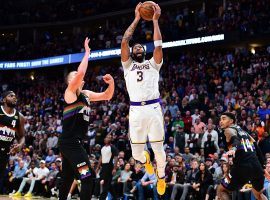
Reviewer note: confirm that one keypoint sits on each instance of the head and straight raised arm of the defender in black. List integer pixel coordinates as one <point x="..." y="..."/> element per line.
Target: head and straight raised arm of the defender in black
<point x="75" y="79"/>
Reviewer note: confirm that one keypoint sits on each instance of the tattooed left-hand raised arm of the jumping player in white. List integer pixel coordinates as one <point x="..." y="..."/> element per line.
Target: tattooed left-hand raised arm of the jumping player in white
<point x="125" y="54"/>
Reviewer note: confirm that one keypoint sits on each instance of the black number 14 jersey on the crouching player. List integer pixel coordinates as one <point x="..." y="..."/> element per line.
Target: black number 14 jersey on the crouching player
<point x="246" y="151"/>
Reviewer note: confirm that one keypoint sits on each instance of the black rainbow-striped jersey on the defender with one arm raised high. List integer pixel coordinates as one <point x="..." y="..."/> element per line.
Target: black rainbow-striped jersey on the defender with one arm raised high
<point x="75" y="119"/>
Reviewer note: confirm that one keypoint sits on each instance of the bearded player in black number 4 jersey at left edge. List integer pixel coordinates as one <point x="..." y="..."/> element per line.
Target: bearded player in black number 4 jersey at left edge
<point x="11" y="126"/>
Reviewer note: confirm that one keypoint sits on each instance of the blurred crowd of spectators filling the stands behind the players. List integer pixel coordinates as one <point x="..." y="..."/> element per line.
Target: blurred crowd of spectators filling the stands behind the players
<point x="196" y="86"/>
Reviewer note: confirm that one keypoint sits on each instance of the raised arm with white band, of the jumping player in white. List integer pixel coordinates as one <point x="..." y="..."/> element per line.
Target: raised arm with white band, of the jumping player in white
<point x="158" y="54"/>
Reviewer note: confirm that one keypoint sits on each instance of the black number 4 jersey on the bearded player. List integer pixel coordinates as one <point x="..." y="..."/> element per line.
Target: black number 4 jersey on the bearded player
<point x="9" y="125"/>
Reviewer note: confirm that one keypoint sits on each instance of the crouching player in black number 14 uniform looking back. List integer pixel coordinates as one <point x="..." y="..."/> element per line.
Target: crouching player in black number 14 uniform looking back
<point x="246" y="166"/>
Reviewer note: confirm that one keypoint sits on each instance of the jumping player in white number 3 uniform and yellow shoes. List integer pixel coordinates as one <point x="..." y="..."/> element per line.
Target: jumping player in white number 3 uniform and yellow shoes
<point x="145" y="115"/>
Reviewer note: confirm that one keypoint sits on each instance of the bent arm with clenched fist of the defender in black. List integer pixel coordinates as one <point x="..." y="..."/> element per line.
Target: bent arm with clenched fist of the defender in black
<point x="106" y="95"/>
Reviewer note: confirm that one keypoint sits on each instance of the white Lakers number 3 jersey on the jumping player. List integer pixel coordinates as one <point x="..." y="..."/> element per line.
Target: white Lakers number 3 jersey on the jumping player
<point x="142" y="79"/>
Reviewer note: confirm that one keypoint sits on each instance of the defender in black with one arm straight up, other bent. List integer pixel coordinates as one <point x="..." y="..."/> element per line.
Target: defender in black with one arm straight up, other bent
<point x="75" y="126"/>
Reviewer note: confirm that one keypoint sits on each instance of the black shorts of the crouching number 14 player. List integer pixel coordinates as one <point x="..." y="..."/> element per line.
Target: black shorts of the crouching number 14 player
<point x="242" y="174"/>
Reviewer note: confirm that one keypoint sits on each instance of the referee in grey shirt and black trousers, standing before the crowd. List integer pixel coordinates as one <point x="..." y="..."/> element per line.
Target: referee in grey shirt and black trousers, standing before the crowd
<point x="108" y="161"/>
